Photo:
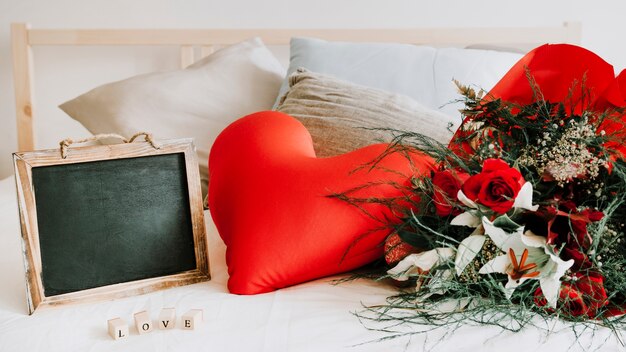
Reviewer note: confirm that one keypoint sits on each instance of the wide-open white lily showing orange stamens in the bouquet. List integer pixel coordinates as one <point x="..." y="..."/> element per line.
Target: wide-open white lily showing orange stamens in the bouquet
<point x="528" y="256"/>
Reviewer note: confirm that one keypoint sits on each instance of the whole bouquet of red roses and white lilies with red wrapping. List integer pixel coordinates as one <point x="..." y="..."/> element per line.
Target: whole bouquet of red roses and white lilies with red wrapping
<point x="524" y="212"/>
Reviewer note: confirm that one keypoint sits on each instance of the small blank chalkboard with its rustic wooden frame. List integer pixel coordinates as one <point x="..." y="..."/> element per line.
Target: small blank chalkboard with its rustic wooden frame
<point x="110" y="221"/>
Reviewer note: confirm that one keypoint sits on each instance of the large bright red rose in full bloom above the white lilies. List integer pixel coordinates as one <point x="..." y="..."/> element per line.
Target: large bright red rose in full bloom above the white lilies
<point x="495" y="187"/>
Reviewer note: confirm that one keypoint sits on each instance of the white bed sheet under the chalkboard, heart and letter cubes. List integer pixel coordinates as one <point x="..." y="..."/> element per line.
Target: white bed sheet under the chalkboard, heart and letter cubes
<point x="315" y="316"/>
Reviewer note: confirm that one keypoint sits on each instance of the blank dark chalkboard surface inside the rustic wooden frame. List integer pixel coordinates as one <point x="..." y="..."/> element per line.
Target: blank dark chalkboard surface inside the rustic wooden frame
<point x="112" y="221"/>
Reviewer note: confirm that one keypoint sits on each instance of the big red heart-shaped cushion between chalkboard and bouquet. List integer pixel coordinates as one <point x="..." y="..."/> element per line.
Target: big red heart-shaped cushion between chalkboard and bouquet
<point x="268" y="199"/>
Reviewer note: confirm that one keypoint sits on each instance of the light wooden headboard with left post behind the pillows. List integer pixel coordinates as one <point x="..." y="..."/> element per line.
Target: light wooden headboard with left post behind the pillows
<point x="207" y="40"/>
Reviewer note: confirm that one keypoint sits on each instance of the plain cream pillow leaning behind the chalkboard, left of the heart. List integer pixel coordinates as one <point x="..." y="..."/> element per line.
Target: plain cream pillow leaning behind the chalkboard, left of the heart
<point x="198" y="102"/>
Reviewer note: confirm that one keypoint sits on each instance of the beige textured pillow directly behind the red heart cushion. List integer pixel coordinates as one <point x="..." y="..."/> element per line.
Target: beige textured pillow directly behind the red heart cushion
<point x="340" y="115"/>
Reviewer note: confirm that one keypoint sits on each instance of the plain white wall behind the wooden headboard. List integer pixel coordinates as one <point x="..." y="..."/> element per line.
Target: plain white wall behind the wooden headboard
<point x="61" y="75"/>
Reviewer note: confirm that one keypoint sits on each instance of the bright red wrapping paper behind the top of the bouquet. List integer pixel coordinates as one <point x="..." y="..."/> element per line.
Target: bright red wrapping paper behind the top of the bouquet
<point x="560" y="71"/>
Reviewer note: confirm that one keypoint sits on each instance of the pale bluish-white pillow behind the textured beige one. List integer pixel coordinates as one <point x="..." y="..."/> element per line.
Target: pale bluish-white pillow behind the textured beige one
<point x="421" y="72"/>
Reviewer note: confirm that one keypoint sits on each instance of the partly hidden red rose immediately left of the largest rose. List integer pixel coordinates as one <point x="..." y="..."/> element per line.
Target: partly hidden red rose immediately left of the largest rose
<point x="447" y="184"/>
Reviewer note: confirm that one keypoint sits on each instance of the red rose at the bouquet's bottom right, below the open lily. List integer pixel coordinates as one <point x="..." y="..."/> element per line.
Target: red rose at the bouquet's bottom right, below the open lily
<point x="583" y="296"/>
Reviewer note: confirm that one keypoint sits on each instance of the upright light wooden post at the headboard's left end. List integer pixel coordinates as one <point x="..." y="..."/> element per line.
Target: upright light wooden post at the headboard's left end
<point x="23" y="84"/>
